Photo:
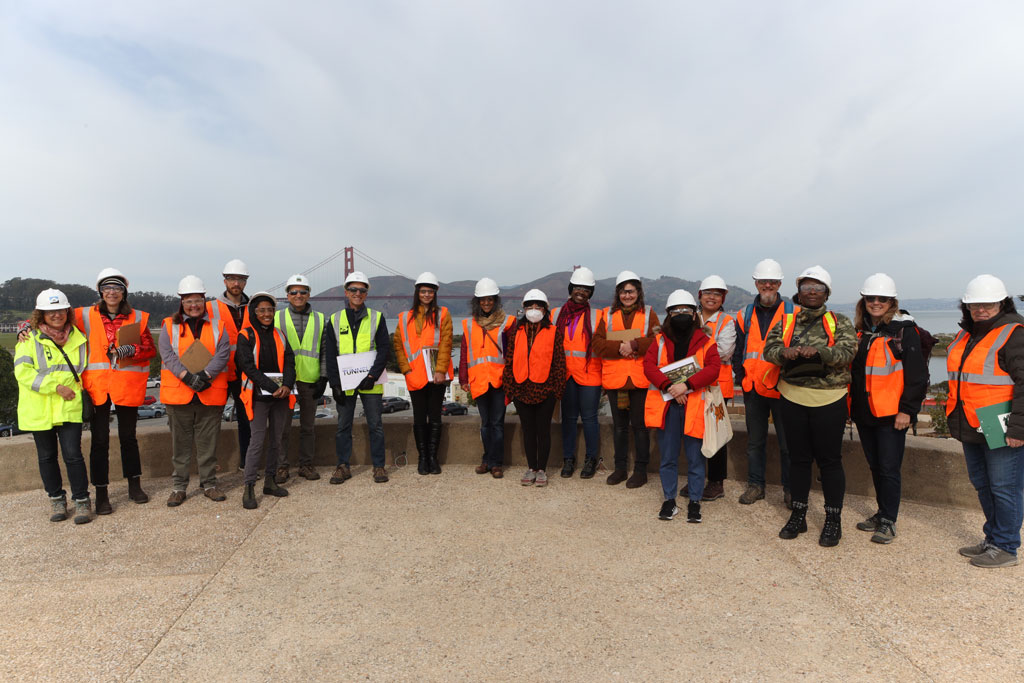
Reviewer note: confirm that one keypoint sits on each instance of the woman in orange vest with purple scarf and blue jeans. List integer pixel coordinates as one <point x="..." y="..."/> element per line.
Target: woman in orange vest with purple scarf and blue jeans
<point x="582" y="399"/>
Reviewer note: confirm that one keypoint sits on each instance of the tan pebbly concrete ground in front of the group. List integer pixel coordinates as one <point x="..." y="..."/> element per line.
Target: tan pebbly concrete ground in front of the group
<point x="464" y="577"/>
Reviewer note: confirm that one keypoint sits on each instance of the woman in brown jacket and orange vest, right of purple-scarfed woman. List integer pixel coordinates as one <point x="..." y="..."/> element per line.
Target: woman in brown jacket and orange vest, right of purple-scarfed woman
<point x="623" y="337"/>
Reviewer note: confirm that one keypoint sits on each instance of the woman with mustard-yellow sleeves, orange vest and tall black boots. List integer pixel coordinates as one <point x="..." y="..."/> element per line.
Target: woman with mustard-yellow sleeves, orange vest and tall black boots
<point x="425" y="333"/>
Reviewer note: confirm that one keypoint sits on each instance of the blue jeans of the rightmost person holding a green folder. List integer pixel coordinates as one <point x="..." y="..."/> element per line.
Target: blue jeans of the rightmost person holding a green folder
<point x="998" y="476"/>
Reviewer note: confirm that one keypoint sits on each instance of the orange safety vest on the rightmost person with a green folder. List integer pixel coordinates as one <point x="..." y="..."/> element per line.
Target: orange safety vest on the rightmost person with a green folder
<point x="977" y="380"/>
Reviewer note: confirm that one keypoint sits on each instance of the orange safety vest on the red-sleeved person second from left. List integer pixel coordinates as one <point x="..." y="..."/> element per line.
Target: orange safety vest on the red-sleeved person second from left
<point x="123" y="381"/>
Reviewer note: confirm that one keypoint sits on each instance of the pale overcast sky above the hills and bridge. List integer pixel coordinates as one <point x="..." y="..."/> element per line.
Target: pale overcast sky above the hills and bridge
<point x="514" y="140"/>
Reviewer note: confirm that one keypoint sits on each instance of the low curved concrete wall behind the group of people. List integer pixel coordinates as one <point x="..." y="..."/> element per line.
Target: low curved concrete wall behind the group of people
<point x="933" y="469"/>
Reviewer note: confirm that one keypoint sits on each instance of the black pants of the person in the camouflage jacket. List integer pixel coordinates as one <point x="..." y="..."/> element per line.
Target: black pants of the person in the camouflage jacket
<point x="816" y="435"/>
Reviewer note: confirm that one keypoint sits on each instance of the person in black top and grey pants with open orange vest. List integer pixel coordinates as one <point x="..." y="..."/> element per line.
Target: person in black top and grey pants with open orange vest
<point x="267" y="366"/>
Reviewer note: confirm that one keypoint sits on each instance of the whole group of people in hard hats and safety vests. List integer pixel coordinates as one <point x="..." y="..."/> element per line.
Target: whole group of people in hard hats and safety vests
<point x="801" y="366"/>
